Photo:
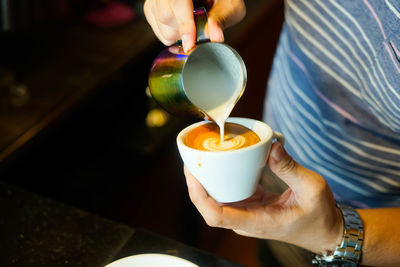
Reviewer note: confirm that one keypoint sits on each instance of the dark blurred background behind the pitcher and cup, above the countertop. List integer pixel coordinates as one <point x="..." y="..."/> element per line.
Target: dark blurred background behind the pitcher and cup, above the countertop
<point x="77" y="124"/>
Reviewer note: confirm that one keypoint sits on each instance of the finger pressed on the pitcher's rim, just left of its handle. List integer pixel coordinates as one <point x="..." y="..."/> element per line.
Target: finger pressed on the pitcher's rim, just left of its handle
<point x="183" y="10"/>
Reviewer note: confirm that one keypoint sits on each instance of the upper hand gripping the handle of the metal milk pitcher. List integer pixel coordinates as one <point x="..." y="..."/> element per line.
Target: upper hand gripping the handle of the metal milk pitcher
<point x="172" y="20"/>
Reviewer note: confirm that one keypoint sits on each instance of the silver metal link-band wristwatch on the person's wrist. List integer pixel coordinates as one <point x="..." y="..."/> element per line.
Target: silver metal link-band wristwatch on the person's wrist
<point x="348" y="253"/>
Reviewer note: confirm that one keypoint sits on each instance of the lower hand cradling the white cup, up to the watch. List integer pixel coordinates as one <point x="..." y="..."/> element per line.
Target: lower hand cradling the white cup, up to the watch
<point x="304" y="215"/>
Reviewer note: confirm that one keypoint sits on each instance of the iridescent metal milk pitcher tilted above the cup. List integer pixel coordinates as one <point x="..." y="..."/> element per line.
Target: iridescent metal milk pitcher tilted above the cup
<point x="198" y="82"/>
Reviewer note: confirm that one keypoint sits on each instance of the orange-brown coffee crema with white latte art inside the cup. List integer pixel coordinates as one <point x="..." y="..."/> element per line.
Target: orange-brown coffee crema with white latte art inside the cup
<point x="207" y="137"/>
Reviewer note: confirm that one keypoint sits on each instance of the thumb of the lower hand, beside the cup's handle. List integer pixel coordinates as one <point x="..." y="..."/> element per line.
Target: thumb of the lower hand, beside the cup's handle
<point x="285" y="167"/>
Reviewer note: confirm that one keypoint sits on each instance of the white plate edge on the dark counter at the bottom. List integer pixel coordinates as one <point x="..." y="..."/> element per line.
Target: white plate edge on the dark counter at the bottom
<point x="151" y="260"/>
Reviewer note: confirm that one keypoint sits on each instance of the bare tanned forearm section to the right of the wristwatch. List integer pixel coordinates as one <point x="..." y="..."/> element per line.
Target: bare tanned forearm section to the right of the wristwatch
<point x="381" y="245"/>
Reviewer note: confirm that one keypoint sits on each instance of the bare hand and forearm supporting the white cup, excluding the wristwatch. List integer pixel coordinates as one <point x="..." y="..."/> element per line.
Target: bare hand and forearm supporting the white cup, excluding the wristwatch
<point x="306" y="210"/>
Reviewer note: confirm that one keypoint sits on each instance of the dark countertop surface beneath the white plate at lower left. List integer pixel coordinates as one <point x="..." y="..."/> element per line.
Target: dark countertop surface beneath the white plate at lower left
<point x="38" y="231"/>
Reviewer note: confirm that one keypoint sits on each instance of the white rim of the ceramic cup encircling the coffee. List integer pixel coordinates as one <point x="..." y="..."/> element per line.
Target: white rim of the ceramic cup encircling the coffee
<point x="182" y="133"/>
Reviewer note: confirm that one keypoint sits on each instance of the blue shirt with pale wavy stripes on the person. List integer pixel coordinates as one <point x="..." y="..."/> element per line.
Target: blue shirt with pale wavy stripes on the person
<point x="334" y="93"/>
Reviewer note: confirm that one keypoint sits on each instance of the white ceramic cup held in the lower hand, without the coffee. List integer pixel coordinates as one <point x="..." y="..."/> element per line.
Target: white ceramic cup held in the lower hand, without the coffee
<point x="230" y="176"/>
